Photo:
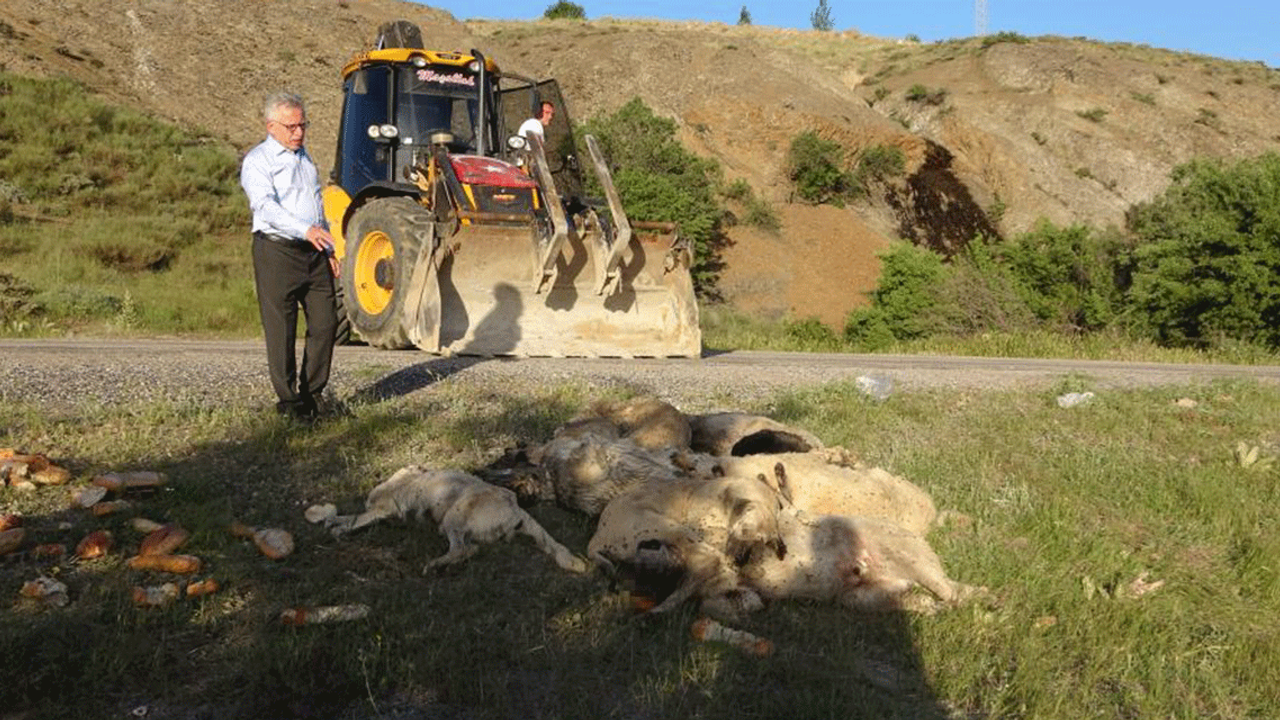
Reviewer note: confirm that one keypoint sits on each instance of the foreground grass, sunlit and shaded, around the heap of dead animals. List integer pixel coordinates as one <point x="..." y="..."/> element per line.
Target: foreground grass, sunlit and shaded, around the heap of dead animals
<point x="1066" y="511"/>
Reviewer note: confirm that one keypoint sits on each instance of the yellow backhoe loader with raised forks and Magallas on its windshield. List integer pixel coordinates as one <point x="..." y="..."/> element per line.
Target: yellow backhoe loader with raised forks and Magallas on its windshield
<point x="459" y="236"/>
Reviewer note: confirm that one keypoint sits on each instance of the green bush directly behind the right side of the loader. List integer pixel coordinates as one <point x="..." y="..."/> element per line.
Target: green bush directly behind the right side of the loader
<point x="660" y="180"/>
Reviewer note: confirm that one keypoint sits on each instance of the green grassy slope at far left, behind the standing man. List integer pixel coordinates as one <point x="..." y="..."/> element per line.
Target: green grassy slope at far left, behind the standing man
<point x="117" y="224"/>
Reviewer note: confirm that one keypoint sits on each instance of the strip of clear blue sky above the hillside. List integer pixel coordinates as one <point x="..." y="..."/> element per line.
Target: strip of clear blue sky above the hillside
<point x="1237" y="30"/>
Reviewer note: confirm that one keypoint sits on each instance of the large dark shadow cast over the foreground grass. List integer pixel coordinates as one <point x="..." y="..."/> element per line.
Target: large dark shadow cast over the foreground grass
<point x="506" y="636"/>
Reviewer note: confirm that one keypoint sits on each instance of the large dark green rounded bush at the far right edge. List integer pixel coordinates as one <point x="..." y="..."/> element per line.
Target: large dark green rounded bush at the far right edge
<point x="1208" y="263"/>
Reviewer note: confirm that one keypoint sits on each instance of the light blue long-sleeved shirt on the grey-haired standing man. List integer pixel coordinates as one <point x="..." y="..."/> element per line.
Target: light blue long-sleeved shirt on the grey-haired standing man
<point x="284" y="189"/>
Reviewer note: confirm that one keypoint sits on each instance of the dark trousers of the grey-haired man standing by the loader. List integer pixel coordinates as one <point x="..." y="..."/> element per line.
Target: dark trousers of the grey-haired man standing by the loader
<point x="290" y="274"/>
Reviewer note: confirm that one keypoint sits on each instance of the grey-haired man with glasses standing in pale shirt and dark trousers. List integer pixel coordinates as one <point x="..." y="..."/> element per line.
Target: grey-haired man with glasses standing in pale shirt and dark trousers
<point x="294" y="262"/>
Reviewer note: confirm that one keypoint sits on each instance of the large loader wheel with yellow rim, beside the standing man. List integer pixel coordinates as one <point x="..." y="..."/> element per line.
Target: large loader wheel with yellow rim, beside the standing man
<point x="383" y="243"/>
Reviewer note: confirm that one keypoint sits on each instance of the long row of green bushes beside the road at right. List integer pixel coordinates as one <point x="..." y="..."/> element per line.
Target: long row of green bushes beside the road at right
<point x="1200" y="267"/>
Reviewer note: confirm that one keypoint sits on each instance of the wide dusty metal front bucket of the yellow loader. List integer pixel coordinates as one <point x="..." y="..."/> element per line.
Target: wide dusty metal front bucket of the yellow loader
<point x="495" y="298"/>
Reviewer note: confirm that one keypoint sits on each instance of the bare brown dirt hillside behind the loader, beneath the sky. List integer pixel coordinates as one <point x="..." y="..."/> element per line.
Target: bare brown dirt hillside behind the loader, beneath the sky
<point x="1008" y="130"/>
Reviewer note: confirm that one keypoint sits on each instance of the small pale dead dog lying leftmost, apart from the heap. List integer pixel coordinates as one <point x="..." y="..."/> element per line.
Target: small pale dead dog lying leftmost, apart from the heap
<point x="467" y="509"/>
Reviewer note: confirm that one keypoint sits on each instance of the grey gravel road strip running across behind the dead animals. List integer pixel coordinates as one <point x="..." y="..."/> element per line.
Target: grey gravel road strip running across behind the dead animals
<point x="71" y="372"/>
